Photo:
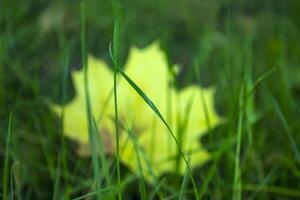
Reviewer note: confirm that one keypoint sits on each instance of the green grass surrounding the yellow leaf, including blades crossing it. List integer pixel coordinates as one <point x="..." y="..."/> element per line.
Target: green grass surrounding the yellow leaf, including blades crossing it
<point x="249" y="51"/>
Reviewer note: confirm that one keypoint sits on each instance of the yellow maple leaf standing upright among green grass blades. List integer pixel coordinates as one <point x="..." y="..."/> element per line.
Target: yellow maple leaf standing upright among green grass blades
<point x="150" y="147"/>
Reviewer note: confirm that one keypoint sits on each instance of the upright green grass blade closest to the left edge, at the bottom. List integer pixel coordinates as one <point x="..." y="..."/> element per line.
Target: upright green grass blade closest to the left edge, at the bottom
<point x="6" y="159"/>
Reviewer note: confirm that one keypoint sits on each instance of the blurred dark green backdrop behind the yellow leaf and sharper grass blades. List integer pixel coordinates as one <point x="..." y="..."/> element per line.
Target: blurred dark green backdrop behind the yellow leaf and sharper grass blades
<point x="234" y="42"/>
